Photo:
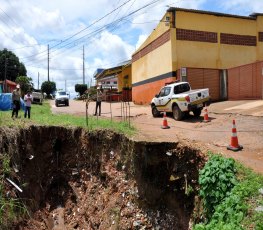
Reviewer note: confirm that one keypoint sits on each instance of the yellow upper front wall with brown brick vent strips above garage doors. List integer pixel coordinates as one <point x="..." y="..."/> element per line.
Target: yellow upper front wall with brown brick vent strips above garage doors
<point x="213" y="41"/>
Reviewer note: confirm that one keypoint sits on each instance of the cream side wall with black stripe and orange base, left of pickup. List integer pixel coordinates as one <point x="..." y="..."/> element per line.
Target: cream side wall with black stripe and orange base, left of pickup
<point x="152" y="69"/>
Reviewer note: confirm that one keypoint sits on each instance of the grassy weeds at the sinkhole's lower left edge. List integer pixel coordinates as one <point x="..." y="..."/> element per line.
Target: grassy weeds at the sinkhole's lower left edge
<point x="10" y="208"/>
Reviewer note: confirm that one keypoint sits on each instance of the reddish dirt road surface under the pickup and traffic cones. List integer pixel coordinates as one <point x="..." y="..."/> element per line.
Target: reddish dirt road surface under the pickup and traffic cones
<point x="214" y="135"/>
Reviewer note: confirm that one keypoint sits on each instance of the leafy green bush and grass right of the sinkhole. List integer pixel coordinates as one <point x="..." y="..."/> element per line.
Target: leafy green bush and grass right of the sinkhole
<point x="233" y="191"/>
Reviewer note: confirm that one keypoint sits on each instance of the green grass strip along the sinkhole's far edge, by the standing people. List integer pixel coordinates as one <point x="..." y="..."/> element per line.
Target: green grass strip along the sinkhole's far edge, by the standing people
<point x="41" y="115"/>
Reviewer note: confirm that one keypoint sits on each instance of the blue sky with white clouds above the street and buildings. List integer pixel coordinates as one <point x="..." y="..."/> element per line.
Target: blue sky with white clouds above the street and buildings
<point x="109" y="32"/>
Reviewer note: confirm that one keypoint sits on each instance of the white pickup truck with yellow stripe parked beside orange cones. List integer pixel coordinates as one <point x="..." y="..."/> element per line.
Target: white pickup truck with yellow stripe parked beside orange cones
<point x="179" y="99"/>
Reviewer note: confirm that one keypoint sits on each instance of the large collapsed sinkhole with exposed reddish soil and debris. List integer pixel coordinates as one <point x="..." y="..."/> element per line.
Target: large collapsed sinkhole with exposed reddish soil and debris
<point x="75" y="179"/>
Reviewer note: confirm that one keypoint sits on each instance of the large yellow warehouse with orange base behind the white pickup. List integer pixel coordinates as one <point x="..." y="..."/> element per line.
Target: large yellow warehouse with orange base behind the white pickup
<point x="198" y="47"/>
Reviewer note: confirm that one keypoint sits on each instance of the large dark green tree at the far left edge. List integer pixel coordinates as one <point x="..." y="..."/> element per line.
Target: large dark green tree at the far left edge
<point x="10" y="66"/>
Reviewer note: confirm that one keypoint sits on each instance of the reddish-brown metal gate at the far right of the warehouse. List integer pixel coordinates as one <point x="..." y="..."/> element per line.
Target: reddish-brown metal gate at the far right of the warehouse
<point x="245" y="82"/>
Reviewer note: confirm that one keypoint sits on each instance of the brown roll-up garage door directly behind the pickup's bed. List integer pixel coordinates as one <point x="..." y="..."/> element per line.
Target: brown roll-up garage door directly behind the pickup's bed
<point x="205" y="78"/>
